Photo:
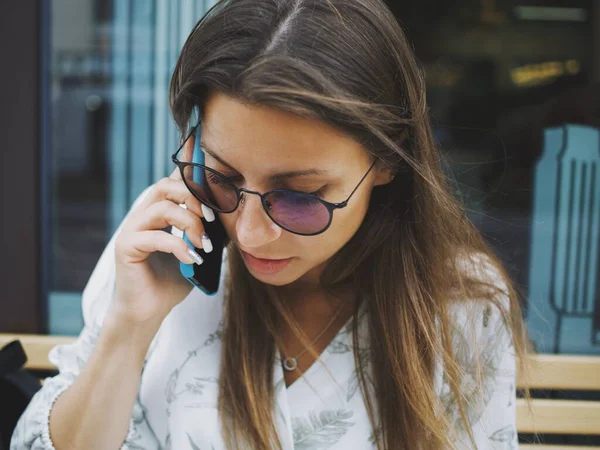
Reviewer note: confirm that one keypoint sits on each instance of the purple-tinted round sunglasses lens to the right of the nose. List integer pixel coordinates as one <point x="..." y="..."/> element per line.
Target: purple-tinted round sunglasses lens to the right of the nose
<point x="300" y="213"/>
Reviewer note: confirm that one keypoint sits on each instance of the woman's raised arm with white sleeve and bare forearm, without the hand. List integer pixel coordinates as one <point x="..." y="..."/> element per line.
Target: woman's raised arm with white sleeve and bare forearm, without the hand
<point x="95" y="389"/>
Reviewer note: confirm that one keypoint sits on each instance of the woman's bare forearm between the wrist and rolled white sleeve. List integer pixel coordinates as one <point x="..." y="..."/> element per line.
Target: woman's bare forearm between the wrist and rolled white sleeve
<point x="94" y="412"/>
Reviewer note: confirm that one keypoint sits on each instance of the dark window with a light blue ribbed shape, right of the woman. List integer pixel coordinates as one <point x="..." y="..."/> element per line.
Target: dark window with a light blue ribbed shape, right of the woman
<point x="514" y="93"/>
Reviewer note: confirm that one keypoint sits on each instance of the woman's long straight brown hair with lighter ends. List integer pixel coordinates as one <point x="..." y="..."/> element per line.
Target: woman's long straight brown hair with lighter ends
<point x="348" y="63"/>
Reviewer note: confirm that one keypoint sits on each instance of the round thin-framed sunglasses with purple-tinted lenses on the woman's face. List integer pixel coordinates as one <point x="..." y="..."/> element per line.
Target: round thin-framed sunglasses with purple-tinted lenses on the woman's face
<point x="297" y="212"/>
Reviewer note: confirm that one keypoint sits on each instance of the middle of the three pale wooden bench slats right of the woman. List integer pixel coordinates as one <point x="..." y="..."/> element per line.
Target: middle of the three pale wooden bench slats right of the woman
<point x="558" y="416"/>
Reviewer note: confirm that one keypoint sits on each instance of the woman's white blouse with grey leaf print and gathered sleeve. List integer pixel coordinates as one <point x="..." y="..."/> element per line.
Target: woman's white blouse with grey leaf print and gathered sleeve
<point x="176" y="406"/>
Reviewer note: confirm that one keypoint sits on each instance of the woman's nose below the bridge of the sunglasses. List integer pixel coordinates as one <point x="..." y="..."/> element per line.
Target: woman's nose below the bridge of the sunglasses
<point x="254" y="227"/>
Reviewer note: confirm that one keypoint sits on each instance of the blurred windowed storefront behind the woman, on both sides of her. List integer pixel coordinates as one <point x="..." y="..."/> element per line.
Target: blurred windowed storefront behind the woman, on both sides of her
<point x="514" y="91"/>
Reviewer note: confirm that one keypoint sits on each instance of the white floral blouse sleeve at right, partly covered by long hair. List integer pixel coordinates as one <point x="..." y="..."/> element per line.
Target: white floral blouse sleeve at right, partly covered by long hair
<point x="484" y="350"/>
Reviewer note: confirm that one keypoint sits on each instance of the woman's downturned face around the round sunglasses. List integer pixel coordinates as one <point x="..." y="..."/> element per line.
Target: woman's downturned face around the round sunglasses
<point x="261" y="147"/>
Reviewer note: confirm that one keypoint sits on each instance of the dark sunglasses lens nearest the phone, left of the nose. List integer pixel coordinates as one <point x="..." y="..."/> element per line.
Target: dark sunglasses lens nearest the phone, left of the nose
<point x="211" y="188"/>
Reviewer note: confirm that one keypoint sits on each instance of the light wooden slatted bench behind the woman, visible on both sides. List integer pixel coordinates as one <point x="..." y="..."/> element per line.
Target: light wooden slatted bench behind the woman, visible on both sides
<point x="540" y="416"/>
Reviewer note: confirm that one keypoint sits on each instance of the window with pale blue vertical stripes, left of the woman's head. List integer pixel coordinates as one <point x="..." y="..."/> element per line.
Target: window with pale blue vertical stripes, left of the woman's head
<point x="110" y="130"/>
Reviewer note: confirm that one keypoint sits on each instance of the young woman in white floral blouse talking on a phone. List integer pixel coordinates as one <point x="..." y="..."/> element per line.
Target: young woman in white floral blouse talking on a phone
<point x="383" y="321"/>
